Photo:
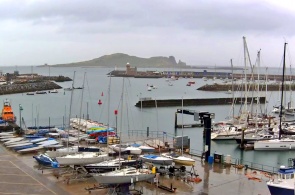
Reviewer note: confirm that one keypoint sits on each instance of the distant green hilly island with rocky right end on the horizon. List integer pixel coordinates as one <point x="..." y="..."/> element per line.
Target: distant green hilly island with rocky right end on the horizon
<point x="120" y="60"/>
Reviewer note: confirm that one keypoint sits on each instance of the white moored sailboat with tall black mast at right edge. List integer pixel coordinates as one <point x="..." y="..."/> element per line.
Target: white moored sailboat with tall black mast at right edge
<point x="278" y="144"/>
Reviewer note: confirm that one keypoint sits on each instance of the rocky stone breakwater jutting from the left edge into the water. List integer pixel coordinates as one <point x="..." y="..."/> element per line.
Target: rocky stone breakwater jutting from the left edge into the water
<point x="28" y="87"/>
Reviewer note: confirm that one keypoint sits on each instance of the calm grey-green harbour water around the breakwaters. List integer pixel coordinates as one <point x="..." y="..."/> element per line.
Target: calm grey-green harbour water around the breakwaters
<point x="54" y="108"/>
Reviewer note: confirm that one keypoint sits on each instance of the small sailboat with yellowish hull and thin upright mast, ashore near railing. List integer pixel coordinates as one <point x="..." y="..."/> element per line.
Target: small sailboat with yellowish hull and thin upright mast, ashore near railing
<point x="180" y="159"/>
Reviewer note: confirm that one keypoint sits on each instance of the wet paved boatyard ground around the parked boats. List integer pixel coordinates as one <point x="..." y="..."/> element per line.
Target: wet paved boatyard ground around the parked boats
<point x="19" y="175"/>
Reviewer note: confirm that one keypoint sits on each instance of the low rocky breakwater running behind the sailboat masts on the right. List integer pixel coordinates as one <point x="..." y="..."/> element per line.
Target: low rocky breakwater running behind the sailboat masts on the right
<point x="241" y="87"/>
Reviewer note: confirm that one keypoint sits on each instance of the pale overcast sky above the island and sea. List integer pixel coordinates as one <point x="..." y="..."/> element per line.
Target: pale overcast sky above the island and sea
<point x="198" y="32"/>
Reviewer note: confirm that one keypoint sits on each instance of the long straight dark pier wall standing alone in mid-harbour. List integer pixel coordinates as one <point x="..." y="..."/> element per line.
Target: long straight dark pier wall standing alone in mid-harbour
<point x="193" y="102"/>
